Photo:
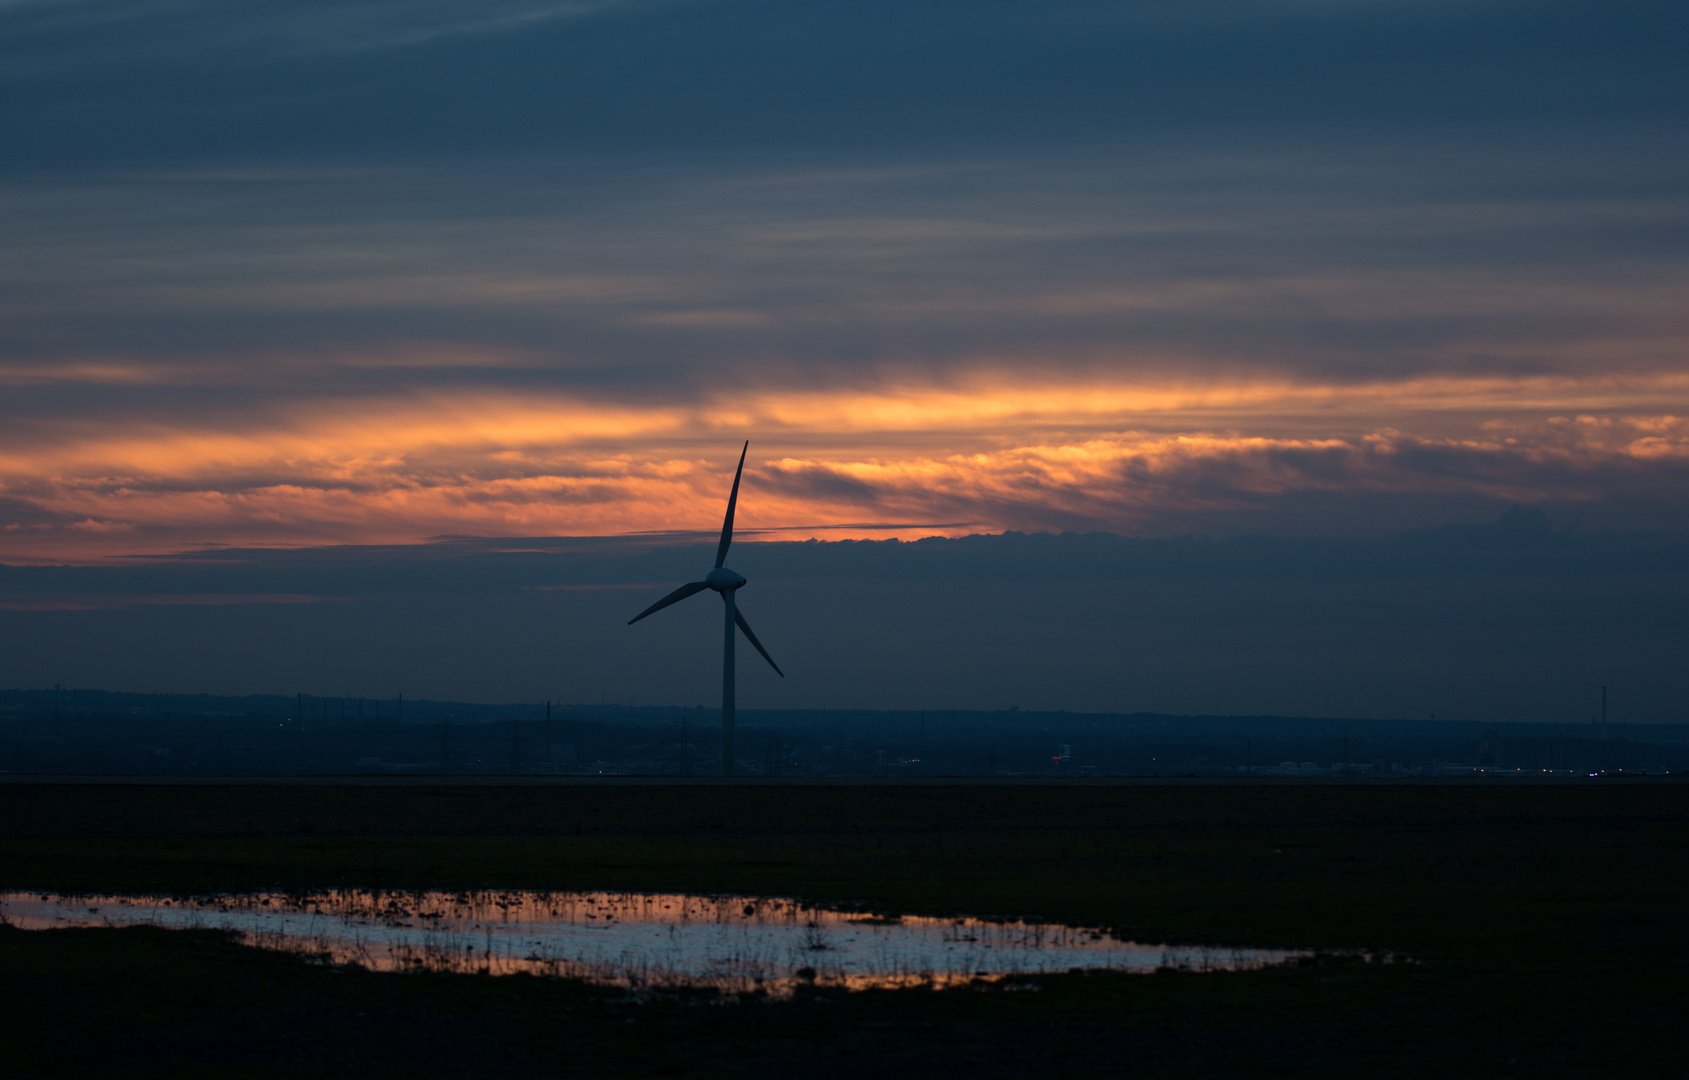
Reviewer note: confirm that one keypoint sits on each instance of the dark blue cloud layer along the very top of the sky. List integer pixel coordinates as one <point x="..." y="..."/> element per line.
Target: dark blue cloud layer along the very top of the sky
<point x="332" y="77"/>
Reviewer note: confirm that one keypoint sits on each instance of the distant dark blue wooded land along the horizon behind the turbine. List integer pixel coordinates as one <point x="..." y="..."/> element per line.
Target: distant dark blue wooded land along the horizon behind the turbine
<point x="92" y="731"/>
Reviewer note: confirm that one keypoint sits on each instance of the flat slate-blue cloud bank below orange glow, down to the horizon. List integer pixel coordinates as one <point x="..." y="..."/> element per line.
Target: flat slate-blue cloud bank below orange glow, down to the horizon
<point x="1526" y="618"/>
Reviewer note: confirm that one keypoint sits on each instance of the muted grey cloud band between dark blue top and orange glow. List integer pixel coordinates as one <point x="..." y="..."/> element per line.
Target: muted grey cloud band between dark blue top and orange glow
<point x="1158" y="261"/>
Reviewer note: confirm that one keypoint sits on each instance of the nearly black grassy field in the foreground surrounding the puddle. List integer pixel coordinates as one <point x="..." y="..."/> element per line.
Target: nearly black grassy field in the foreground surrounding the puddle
<point x="1548" y="929"/>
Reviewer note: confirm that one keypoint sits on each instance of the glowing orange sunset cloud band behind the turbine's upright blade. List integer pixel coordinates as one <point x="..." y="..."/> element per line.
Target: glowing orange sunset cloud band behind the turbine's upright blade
<point x="991" y="454"/>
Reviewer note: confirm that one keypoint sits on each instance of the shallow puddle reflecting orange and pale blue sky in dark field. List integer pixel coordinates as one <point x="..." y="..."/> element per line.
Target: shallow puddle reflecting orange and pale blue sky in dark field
<point x="636" y="941"/>
